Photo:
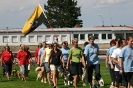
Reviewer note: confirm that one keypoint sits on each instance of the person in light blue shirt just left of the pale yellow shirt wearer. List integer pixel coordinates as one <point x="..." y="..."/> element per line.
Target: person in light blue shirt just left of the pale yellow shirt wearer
<point x="40" y="54"/>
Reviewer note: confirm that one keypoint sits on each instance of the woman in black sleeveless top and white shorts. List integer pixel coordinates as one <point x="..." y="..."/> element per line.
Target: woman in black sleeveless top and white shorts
<point x="54" y="63"/>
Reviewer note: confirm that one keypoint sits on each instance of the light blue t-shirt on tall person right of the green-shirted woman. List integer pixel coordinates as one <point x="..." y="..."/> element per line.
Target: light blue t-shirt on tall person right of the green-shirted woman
<point x="92" y="57"/>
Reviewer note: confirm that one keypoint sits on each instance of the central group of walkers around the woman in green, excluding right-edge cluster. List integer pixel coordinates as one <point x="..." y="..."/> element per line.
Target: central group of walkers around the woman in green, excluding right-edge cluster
<point x="55" y="59"/>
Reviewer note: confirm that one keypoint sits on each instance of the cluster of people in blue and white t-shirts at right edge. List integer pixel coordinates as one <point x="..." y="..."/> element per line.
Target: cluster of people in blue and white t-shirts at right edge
<point x="119" y="60"/>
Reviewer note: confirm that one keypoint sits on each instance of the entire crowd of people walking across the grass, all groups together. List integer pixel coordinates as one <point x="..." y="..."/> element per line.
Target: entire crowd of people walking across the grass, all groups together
<point x="79" y="63"/>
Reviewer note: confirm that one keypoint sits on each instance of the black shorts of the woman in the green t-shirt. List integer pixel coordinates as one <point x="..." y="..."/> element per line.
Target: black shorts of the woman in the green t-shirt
<point x="76" y="68"/>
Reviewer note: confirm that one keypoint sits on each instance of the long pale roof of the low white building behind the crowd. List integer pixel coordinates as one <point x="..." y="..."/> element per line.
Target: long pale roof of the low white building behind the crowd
<point x="96" y="28"/>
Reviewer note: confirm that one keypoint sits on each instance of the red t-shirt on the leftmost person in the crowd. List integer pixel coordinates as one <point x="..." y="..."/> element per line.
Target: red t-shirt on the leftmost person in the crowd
<point x="7" y="56"/>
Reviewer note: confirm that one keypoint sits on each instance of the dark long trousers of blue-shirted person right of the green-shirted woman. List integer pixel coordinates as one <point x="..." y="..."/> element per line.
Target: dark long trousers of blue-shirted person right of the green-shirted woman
<point x="90" y="72"/>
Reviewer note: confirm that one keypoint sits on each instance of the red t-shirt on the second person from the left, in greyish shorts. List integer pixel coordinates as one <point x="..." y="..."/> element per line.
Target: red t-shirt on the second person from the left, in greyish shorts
<point x="23" y="57"/>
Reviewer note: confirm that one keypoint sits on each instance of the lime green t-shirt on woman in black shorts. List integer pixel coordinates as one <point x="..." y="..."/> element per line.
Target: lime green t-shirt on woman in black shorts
<point x="75" y="54"/>
